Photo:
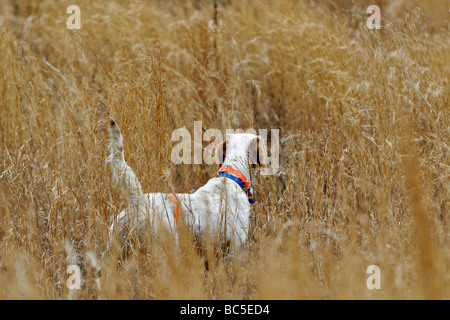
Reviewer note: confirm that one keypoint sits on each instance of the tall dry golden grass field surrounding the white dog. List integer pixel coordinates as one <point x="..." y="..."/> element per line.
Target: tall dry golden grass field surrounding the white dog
<point x="364" y="122"/>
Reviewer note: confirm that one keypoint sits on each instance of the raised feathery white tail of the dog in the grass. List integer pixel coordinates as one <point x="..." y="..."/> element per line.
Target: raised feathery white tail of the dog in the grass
<point x="122" y="172"/>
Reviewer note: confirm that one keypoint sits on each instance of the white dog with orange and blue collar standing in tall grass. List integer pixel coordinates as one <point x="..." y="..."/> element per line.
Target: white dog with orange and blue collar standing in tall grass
<point x="220" y="208"/>
